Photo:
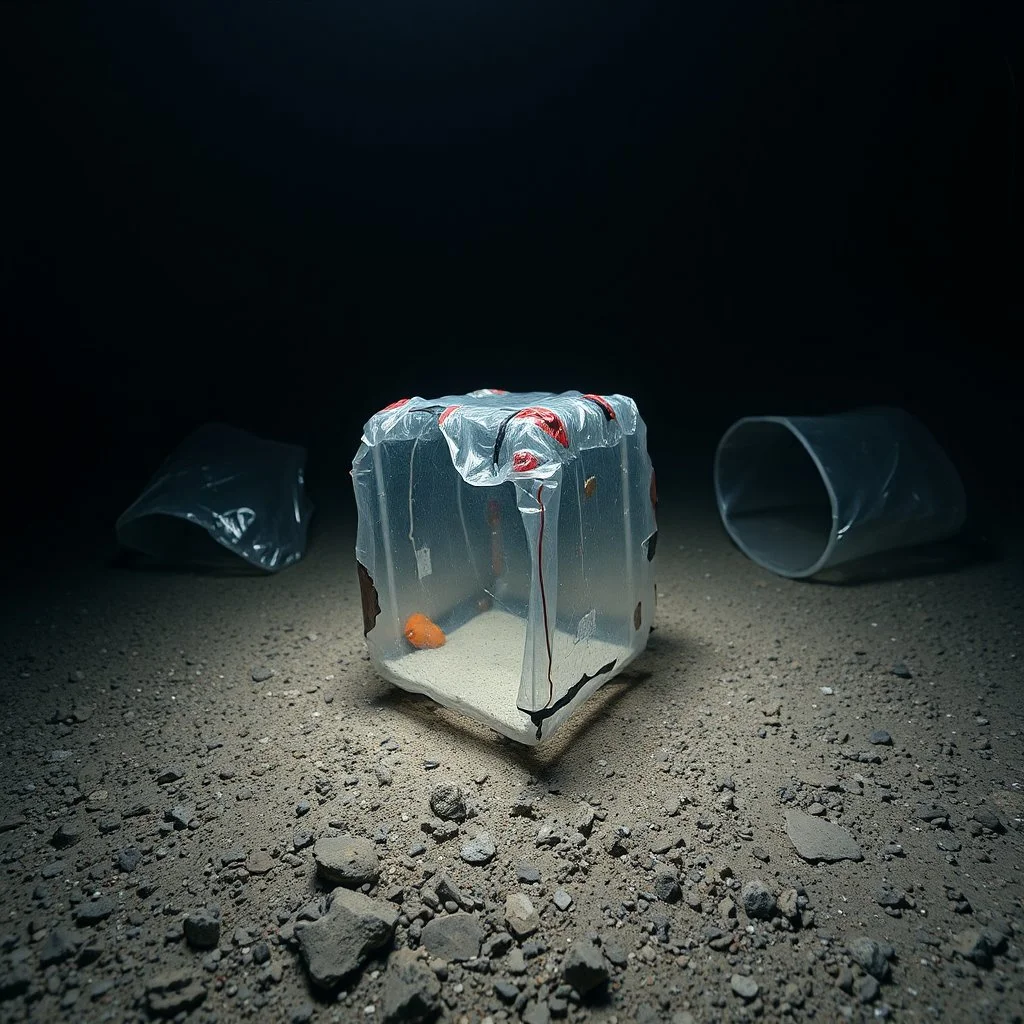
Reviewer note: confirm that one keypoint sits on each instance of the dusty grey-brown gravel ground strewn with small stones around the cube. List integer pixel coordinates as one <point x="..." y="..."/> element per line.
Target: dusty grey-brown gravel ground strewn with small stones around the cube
<point x="175" y="744"/>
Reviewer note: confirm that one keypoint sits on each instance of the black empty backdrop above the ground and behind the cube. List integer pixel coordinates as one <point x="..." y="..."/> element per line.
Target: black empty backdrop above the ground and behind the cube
<point x="287" y="216"/>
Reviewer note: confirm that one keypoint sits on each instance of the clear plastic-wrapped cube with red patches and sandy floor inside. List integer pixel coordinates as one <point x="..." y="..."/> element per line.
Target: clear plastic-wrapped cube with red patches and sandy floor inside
<point x="504" y="550"/>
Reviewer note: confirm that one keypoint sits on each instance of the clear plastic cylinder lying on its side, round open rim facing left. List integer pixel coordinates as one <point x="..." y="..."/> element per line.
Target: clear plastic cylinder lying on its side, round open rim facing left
<point x="801" y="494"/>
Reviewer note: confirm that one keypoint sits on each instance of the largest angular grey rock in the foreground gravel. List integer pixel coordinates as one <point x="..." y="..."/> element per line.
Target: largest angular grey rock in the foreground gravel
<point x="344" y="940"/>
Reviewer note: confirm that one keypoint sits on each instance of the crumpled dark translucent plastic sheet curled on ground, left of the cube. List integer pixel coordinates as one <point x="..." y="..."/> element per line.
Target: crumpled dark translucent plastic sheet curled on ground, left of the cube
<point x="223" y="492"/>
